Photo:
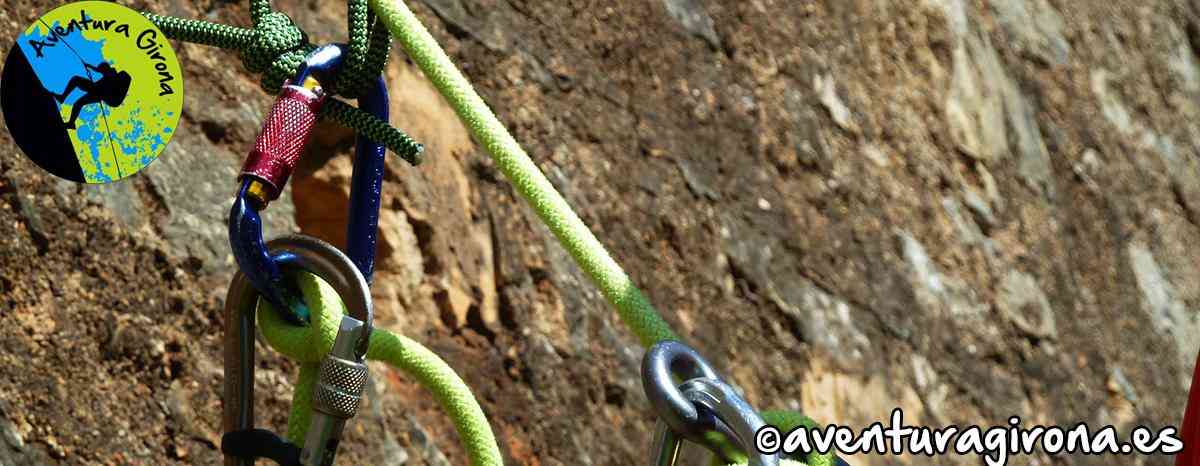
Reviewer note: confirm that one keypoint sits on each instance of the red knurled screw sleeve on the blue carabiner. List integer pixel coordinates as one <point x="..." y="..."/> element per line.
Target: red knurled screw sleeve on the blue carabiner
<point x="284" y="138"/>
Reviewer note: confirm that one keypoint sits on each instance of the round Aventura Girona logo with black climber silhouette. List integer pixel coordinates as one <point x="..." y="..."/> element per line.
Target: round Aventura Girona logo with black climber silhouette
<point x="92" y="92"/>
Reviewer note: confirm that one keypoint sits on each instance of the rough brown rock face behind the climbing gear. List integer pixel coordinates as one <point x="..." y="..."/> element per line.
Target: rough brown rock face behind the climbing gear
<point x="968" y="210"/>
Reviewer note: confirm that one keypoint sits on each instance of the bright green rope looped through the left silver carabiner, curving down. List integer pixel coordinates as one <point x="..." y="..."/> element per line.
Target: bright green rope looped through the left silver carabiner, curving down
<point x="310" y="344"/>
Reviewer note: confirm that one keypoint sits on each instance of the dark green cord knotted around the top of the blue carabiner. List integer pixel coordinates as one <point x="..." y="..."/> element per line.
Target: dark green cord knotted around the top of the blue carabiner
<point x="275" y="49"/>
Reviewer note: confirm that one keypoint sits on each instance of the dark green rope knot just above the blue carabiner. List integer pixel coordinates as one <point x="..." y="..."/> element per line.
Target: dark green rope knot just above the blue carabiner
<point x="277" y="49"/>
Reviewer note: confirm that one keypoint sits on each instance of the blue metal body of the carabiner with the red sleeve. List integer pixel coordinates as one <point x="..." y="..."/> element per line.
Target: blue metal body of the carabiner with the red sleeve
<point x="367" y="186"/>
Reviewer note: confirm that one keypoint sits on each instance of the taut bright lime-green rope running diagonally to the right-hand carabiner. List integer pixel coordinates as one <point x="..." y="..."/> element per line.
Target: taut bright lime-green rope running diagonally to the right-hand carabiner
<point x="633" y="307"/>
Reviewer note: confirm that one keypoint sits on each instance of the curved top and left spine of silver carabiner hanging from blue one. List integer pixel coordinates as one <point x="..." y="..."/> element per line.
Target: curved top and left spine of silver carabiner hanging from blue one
<point x="292" y="253"/>
